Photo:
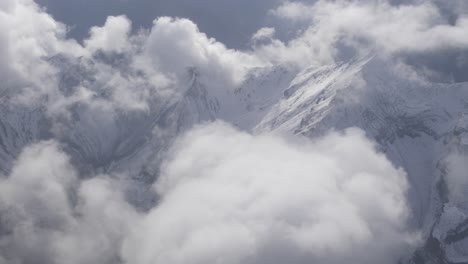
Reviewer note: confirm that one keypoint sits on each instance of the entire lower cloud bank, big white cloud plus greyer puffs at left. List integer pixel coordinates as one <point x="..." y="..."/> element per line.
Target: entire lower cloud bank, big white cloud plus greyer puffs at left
<point x="225" y="197"/>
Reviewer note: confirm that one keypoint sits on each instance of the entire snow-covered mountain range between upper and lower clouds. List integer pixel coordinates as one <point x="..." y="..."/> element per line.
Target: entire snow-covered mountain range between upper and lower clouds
<point x="417" y="124"/>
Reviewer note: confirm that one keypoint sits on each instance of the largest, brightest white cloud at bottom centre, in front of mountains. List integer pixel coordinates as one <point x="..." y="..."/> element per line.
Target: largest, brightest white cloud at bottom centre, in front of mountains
<point x="230" y="197"/>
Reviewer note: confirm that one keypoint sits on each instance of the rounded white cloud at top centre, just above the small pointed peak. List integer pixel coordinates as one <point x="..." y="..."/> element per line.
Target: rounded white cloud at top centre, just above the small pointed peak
<point x="175" y="44"/>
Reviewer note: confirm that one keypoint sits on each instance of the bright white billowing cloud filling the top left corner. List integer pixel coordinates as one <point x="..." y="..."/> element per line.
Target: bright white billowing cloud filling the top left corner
<point x="28" y="35"/>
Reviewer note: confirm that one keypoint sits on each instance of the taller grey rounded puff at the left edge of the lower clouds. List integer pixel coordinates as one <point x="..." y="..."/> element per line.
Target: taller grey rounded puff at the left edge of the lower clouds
<point x="35" y="204"/>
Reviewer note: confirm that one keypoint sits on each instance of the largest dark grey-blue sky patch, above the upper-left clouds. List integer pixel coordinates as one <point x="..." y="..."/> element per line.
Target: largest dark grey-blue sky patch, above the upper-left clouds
<point x="231" y="22"/>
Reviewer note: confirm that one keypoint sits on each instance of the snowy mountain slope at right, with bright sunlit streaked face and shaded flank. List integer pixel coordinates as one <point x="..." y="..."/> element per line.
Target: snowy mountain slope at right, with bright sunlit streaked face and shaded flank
<point x="417" y="125"/>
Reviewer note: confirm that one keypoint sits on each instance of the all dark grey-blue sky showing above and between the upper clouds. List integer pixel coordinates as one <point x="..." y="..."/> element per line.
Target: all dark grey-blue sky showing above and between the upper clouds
<point x="234" y="22"/>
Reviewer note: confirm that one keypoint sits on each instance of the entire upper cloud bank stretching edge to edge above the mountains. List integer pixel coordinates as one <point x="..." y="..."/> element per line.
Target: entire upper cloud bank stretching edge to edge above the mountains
<point x="125" y="69"/>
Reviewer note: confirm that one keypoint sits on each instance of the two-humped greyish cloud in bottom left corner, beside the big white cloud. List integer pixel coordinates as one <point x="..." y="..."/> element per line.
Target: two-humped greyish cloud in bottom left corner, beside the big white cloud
<point x="49" y="216"/>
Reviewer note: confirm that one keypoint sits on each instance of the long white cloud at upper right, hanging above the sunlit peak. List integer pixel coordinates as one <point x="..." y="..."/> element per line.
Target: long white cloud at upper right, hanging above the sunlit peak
<point x="336" y="27"/>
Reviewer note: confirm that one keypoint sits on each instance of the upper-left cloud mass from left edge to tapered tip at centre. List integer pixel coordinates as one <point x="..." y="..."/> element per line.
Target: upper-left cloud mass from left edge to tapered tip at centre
<point x="114" y="68"/>
